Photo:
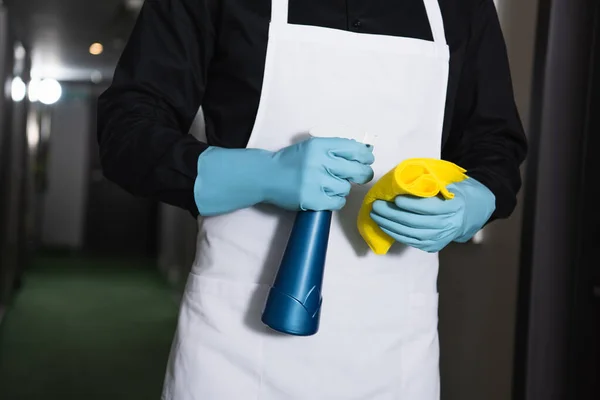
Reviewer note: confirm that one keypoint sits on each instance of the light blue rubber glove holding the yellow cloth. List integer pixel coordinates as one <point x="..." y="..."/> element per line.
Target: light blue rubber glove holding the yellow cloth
<point x="430" y="224"/>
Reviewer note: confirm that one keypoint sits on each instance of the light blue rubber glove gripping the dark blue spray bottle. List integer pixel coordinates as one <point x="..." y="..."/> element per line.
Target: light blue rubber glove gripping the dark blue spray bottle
<point x="312" y="175"/>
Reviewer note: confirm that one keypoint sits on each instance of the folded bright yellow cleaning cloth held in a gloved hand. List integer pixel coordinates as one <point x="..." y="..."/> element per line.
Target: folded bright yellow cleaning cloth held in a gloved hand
<point x="420" y="177"/>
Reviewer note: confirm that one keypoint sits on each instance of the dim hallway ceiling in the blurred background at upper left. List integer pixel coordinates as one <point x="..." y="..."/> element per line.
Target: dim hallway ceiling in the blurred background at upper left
<point x="60" y="32"/>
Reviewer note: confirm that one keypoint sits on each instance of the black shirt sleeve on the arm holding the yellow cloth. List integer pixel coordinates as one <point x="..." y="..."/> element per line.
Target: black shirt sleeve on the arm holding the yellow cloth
<point x="486" y="136"/>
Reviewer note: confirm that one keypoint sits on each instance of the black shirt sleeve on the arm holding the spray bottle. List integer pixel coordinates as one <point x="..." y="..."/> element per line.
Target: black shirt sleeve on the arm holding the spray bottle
<point x="145" y="115"/>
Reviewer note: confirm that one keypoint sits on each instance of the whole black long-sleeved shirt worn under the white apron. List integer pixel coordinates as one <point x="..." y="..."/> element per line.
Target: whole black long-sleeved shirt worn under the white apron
<point x="183" y="54"/>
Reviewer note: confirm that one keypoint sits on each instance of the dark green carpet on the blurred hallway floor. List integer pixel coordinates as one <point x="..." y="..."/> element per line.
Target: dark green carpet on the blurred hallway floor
<point x="86" y="329"/>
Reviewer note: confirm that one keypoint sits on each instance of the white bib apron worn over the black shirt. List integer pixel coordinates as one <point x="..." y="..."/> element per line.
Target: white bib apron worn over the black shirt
<point x="378" y="335"/>
